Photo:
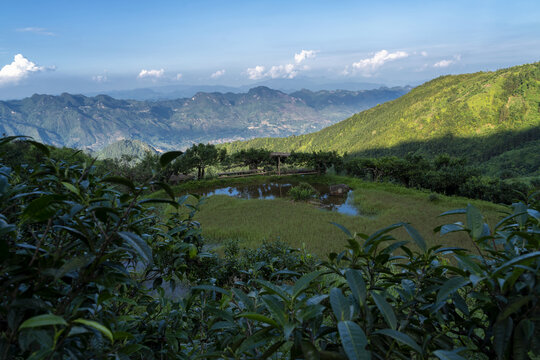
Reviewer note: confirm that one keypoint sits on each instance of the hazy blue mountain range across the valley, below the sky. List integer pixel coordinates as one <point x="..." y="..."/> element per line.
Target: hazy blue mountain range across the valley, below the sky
<point x="94" y="122"/>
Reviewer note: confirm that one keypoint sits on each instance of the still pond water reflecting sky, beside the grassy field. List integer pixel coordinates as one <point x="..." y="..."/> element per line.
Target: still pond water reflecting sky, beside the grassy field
<point x="343" y="204"/>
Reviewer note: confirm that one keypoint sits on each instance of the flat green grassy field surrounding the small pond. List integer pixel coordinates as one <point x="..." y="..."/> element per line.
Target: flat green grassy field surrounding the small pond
<point x="299" y="223"/>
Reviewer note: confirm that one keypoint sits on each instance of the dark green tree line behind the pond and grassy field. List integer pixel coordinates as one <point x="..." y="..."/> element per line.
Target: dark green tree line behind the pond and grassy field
<point x="442" y="174"/>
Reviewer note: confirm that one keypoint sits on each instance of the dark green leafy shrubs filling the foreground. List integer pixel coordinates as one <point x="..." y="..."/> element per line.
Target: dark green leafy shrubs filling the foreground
<point x="90" y="271"/>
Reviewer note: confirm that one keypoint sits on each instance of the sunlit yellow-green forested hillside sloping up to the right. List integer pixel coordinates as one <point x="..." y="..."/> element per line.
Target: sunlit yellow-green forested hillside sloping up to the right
<point x="482" y="115"/>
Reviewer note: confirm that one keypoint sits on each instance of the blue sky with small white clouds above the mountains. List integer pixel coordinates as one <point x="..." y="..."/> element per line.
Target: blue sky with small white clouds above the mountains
<point x="91" y="46"/>
